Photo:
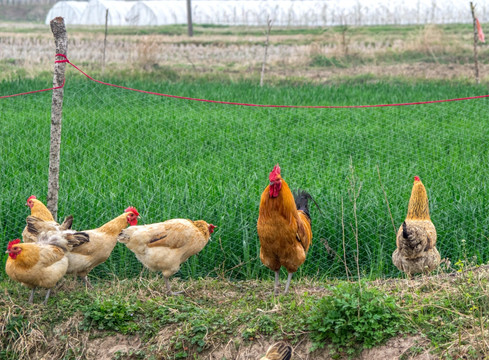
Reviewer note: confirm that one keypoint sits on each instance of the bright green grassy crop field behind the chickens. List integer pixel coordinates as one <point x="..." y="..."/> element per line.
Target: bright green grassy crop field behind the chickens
<point x="177" y="158"/>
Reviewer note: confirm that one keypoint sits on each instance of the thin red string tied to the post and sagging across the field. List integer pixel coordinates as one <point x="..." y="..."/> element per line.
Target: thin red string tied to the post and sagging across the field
<point x="242" y="104"/>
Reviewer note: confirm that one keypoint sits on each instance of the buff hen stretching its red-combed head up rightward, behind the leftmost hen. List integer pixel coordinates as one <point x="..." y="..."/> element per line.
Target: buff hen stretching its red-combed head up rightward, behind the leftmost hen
<point x="101" y="243"/>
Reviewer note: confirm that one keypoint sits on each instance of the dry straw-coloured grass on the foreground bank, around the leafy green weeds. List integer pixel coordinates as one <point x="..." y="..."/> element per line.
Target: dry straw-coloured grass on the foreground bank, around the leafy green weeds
<point x="452" y="307"/>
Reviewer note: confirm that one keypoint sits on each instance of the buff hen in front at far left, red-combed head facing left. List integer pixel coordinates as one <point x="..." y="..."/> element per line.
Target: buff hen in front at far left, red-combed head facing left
<point x="43" y="263"/>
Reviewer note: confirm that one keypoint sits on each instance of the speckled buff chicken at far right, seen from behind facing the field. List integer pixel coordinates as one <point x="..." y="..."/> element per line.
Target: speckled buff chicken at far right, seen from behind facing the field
<point x="416" y="238"/>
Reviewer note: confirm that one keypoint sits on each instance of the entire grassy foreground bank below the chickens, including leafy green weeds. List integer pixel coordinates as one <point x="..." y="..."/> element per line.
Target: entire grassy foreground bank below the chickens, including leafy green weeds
<point x="444" y="315"/>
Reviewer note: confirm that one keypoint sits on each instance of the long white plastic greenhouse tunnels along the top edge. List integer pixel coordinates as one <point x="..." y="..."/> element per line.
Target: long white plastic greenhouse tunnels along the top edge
<point x="281" y="12"/>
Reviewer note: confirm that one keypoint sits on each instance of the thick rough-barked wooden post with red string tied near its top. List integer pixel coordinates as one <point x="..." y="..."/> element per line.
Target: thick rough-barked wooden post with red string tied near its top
<point x="61" y="40"/>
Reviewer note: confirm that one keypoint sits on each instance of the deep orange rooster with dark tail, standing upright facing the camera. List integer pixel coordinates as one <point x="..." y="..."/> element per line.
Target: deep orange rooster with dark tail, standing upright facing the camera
<point x="284" y="227"/>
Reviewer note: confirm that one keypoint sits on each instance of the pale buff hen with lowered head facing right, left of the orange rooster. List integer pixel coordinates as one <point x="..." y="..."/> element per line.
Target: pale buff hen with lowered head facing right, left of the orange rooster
<point x="165" y="246"/>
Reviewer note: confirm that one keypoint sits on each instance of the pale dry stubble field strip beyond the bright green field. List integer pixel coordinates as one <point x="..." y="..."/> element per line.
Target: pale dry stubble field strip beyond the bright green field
<point x="424" y="52"/>
